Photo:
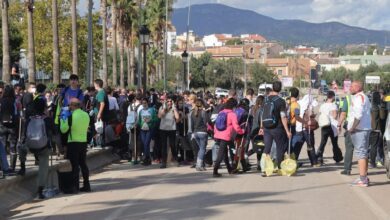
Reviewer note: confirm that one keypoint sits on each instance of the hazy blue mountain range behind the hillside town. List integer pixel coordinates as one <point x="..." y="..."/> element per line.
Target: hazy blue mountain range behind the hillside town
<point x="208" y="19"/>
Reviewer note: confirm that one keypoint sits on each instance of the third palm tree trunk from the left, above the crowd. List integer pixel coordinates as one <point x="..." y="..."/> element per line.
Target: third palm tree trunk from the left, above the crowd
<point x="56" y="48"/>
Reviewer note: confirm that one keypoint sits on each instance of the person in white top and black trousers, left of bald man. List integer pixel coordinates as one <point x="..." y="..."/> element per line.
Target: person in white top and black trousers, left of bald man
<point x="328" y="114"/>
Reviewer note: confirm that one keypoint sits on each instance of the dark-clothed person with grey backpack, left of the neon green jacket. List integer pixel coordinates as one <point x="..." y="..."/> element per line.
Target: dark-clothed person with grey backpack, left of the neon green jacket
<point x="38" y="135"/>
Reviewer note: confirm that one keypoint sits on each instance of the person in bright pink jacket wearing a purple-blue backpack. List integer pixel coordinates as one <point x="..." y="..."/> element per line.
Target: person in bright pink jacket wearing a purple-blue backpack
<point x="225" y="126"/>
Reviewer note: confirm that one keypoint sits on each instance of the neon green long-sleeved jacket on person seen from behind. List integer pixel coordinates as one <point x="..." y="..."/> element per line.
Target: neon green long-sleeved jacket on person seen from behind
<point x="79" y="127"/>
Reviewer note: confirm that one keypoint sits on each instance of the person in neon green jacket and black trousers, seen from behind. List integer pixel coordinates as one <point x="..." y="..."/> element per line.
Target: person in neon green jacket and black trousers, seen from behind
<point x="77" y="143"/>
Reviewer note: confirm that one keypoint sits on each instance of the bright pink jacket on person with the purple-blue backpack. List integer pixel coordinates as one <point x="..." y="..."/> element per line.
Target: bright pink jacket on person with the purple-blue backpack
<point x="232" y="125"/>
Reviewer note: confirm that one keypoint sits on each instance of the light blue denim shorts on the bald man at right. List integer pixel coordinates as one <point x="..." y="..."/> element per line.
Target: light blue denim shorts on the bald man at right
<point x="360" y="141"/>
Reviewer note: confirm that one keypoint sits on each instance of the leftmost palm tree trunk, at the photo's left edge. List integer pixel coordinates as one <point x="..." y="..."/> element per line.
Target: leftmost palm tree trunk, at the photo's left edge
<point x="5" y="32"/>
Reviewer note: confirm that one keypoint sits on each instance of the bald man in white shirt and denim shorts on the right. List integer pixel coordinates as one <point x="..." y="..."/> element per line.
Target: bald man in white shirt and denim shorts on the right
<point x="359" y="126"/>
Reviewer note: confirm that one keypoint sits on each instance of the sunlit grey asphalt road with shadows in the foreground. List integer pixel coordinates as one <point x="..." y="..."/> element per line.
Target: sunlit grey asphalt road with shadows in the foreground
<point x="122" y="191"/>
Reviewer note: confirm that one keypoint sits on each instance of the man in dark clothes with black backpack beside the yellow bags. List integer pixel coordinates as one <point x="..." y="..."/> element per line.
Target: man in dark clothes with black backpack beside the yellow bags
<point x="275" y="123"/>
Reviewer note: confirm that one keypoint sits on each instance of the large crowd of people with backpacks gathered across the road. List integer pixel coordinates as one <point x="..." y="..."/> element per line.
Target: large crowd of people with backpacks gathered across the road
<point x="164" y="128"/>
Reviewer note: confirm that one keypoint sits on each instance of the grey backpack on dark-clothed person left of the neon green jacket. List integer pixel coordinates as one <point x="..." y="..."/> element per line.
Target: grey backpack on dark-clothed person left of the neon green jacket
<point x="36" y="135"/>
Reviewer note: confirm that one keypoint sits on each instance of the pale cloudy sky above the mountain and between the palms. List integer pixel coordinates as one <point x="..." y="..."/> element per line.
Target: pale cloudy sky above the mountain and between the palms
<point x="371" y="14"/>
